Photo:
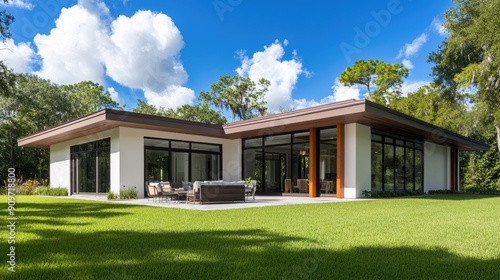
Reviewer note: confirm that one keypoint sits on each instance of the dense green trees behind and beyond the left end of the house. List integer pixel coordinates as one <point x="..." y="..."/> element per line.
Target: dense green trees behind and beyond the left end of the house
<point x="36" y="104"/>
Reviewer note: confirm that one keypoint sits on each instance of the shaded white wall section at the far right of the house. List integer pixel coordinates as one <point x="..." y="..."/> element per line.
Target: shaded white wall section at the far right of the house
<point x="436" y="167"/>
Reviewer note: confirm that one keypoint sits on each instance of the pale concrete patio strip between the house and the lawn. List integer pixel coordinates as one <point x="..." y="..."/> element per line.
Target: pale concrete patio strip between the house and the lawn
<point x="260" y="201"/>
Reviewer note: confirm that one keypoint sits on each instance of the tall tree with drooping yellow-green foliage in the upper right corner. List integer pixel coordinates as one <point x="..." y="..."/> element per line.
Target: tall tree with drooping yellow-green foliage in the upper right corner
<point x="469" y="59"/>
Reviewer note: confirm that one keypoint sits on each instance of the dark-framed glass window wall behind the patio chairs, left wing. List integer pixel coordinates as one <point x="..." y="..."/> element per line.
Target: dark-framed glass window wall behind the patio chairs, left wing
<point x="181" y="161"/>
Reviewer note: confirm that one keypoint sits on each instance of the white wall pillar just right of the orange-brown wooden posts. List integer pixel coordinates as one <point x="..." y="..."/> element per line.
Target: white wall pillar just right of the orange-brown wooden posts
<point x="357" y="165"/>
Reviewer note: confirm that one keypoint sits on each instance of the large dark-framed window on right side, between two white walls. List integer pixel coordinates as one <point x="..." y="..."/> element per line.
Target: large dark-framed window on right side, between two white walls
<point x="396" y="164"/>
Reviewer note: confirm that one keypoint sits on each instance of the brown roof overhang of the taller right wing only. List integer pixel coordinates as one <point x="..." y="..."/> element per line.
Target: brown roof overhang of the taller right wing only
<point x="351" y="111"/>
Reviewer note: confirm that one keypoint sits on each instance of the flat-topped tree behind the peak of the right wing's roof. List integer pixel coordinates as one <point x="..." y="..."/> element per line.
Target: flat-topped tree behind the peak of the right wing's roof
<point x="382" y="80"/>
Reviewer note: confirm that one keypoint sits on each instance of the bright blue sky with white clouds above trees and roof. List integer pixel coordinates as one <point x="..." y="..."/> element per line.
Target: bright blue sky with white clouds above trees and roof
<point x="166" y="52"/>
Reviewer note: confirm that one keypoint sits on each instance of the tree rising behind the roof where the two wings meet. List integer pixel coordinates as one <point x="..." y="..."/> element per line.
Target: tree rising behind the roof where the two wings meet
<point x="240" y="95"/>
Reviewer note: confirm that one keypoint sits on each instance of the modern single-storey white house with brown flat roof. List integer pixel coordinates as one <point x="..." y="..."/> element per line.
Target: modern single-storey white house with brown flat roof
<point x="349" y="147"/>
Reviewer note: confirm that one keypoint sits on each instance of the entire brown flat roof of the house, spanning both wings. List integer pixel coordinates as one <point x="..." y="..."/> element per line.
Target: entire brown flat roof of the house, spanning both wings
<point x="327" y="115"/>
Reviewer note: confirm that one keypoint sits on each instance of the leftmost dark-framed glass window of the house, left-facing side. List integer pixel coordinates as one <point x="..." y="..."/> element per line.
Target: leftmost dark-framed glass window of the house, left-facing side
<point x="90" y="167"/>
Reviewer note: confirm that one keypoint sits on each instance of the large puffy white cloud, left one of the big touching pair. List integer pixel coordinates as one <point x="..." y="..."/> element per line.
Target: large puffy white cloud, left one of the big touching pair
<point x="72" y="51"/>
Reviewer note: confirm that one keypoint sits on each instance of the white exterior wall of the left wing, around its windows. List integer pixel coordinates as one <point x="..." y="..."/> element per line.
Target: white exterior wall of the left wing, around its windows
<point x="127" y="157"/>
